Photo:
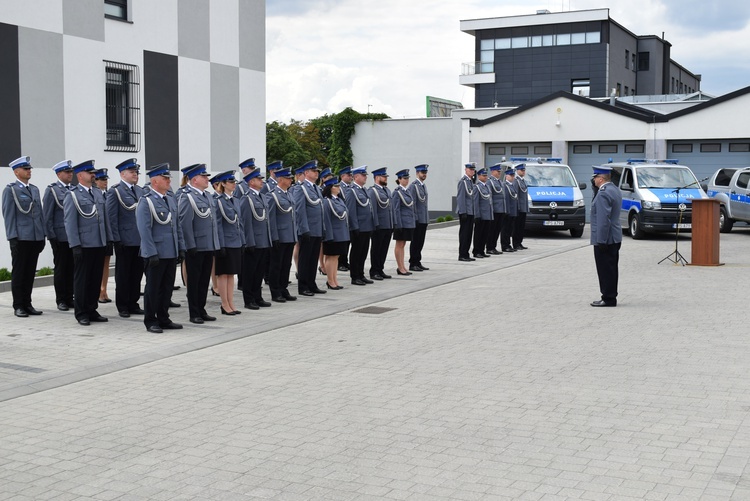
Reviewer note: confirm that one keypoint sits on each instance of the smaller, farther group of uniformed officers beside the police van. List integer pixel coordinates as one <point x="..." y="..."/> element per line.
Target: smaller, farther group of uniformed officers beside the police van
<point x="491" y="208"/>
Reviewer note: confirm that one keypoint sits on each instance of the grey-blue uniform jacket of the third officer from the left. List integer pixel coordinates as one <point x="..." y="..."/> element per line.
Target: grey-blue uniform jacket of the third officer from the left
<point x="86" y="218"/>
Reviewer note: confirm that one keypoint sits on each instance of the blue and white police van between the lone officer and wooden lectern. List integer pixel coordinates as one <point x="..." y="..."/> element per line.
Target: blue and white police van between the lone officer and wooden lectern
<point x="657" y="195"/>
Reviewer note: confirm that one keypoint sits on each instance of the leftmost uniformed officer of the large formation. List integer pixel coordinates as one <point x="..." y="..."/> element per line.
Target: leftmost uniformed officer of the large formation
<point x="24" y="229"/>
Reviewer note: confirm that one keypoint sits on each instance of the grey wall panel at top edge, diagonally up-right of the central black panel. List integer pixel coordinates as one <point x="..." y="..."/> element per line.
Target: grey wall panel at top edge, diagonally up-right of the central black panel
<point x="194" y="35"/>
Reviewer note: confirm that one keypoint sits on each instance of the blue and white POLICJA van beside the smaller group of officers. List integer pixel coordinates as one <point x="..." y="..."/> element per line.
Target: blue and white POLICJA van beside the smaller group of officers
<point x="555" y="198"/>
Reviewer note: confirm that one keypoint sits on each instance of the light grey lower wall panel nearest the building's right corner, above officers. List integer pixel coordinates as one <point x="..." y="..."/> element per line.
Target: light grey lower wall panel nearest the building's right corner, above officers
<point x="225" y="117"/>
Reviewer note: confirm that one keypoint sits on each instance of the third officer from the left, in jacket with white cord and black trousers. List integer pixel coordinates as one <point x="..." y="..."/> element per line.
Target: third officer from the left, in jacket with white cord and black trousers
<point x="88" y="235"/>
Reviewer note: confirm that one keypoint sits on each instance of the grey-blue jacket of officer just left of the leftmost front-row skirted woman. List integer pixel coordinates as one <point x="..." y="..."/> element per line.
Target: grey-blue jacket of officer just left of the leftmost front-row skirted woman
<point x="197" y="216"/>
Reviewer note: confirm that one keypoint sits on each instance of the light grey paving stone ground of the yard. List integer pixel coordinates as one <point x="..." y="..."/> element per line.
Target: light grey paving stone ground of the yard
<point x="486" y="380"/>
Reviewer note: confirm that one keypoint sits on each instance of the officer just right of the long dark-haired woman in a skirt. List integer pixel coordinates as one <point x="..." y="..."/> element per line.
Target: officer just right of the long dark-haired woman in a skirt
<point x="361" y="225"/>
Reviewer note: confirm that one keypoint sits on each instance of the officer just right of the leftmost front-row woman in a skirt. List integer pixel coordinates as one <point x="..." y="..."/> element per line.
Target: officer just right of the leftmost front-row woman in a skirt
<point x="255" y="224"/>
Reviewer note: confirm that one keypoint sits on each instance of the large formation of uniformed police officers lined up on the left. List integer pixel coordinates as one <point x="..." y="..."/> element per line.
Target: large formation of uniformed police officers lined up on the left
<point x="249" y="228"/>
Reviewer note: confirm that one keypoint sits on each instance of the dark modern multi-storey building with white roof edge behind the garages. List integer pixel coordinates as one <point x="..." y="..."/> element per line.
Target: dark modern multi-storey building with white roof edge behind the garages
<point x="520" y="59"/>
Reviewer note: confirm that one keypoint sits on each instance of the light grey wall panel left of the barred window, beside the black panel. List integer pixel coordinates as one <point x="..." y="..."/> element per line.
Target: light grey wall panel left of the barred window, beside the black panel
<point x="41" y="96"/>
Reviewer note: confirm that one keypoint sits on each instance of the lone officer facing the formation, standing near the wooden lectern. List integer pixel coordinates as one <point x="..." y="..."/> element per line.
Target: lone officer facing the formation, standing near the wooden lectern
<point x="606" y="234"/>
